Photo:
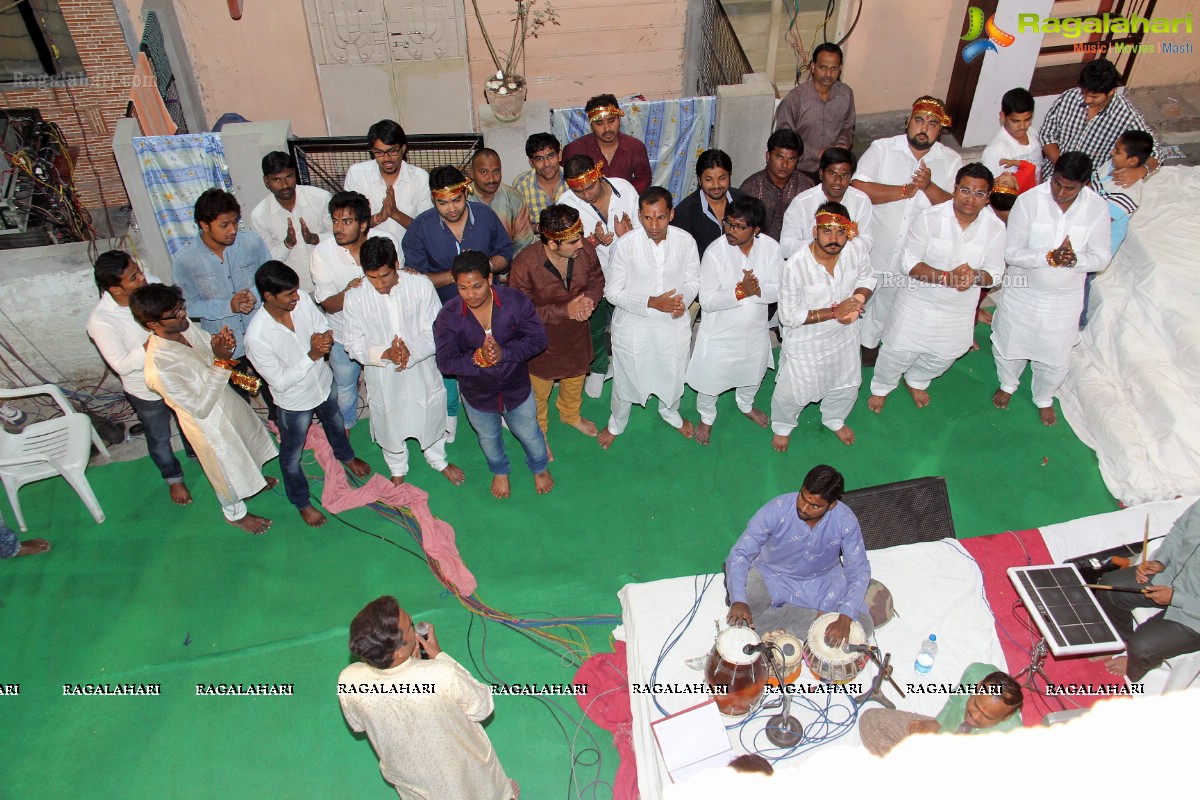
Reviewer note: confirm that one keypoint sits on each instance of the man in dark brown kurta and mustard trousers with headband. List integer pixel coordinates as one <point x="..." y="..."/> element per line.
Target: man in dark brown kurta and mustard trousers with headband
<point x="565" y="280"/>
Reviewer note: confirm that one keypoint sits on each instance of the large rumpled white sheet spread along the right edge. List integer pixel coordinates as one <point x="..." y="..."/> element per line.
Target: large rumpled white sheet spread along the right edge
<point x="1133" y="393"/>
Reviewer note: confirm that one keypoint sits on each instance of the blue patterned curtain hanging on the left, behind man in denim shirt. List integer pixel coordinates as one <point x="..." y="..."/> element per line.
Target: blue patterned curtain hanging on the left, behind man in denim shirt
<point x="177" y="170"/>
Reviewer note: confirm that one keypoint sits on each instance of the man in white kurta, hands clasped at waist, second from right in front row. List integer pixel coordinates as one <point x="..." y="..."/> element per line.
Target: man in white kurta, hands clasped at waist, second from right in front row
<point x="952" y="251"/>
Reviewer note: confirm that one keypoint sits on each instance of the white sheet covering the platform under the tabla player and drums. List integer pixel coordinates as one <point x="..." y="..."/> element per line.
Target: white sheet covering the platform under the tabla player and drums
<point x="938" y="590"/>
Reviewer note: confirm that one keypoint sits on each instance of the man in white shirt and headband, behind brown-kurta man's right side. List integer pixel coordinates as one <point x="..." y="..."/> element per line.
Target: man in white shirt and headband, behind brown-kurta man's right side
<point x="608" y="208"/>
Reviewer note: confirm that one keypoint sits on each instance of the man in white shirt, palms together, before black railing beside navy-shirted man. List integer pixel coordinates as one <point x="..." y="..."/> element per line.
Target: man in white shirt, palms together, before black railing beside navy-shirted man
<point x="398" y="190"/>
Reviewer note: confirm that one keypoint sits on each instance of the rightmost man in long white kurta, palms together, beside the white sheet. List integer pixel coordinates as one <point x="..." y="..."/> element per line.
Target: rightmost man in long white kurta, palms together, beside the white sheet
<point x="1058" y="233"/>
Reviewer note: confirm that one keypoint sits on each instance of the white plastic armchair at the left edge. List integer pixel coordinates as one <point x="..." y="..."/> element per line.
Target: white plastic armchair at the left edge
<point x="57" y="447"/>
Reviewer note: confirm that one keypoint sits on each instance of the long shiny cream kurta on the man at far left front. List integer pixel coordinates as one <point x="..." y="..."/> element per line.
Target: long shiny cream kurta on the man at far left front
<point x="231" y="442"/>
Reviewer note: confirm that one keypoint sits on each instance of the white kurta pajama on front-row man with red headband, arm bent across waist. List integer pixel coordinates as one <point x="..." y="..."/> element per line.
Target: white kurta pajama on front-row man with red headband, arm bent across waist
<point x="819" y="362"/>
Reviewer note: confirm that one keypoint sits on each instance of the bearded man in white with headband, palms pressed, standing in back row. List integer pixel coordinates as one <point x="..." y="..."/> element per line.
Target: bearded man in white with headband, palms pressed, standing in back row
<point x="903" y="176"/>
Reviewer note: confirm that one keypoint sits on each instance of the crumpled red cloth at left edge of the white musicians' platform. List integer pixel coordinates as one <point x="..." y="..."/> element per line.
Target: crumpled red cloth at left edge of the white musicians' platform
<point x="607" y="703"/>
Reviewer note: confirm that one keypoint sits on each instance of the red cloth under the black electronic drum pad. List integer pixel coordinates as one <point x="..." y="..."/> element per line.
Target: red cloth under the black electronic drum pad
<point x="995" y="555"/>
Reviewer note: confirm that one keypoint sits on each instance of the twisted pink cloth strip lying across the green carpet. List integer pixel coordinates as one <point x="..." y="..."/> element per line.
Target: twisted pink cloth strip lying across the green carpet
<point x="437" y="537"/>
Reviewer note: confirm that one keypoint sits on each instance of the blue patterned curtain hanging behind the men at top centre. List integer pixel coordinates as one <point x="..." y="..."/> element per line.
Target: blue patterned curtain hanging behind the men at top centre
<point x="675" y="134"/>
